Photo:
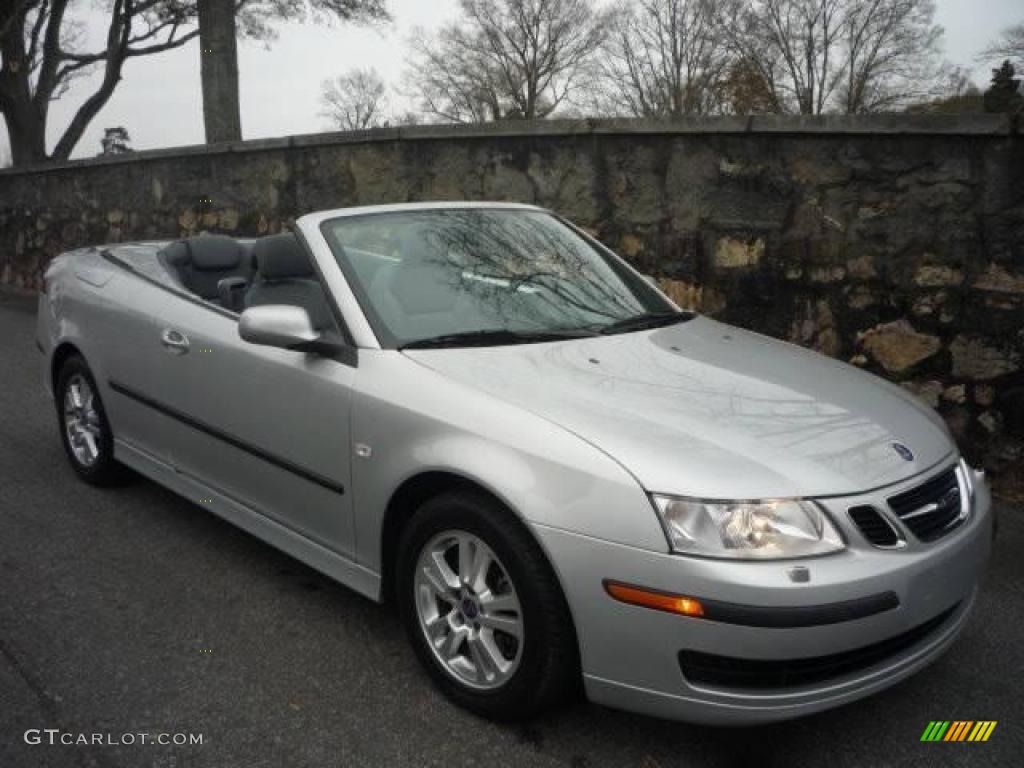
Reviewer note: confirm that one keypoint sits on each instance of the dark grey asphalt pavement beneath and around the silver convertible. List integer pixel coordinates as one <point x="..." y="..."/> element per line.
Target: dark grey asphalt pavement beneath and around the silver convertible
<point x="132" y="611"/>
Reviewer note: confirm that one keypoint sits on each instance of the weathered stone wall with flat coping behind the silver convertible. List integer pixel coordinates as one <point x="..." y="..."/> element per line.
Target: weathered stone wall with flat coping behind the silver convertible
<point x="895" y="243"/>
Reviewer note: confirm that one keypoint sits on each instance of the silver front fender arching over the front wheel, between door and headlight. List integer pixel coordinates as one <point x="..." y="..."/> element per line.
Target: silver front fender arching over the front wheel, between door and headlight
<point x="413" y="420"/>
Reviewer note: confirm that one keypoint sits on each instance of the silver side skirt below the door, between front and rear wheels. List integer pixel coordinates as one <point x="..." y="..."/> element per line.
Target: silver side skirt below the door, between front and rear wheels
<point x="330" y="564"/>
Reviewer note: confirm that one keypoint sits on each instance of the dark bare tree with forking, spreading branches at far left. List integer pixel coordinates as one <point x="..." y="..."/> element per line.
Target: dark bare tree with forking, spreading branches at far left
<point x="41" y="55"/>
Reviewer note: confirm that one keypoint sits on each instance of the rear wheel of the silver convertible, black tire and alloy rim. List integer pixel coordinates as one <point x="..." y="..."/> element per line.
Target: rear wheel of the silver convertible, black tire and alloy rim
<point x="86" y="432"/>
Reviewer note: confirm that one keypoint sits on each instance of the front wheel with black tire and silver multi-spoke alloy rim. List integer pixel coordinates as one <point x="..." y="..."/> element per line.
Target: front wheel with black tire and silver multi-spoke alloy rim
<point x="484" y="609"/>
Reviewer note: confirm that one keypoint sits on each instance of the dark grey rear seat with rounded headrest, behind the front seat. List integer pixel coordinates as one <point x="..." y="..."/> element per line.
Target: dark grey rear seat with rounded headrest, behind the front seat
<point x="200" y="264"/>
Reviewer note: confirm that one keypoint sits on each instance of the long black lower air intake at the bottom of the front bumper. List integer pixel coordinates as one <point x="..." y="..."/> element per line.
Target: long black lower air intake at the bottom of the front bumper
<point x="729" y="672"/>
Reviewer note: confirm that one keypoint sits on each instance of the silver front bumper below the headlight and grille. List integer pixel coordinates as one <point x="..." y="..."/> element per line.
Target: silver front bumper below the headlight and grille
<point x="631" y="655"/>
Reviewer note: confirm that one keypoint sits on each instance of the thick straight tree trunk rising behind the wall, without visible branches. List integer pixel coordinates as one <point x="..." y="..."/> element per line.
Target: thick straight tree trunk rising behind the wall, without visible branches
<point x="220" y="71"/>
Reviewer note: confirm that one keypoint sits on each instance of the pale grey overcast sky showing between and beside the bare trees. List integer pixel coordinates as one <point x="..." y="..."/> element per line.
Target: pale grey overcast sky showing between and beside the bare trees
<point x="159" y="99"/>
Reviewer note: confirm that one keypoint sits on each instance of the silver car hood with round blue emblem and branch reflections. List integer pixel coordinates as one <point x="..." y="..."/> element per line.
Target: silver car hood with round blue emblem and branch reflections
<point x="707" y="410"/>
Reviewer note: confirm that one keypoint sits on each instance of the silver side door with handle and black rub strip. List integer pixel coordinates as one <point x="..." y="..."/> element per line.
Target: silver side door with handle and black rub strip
<point x="270" y="428"/>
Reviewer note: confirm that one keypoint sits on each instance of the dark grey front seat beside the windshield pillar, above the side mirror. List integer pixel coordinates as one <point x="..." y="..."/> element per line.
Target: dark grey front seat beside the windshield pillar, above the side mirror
<point x="285" y="276"/>
